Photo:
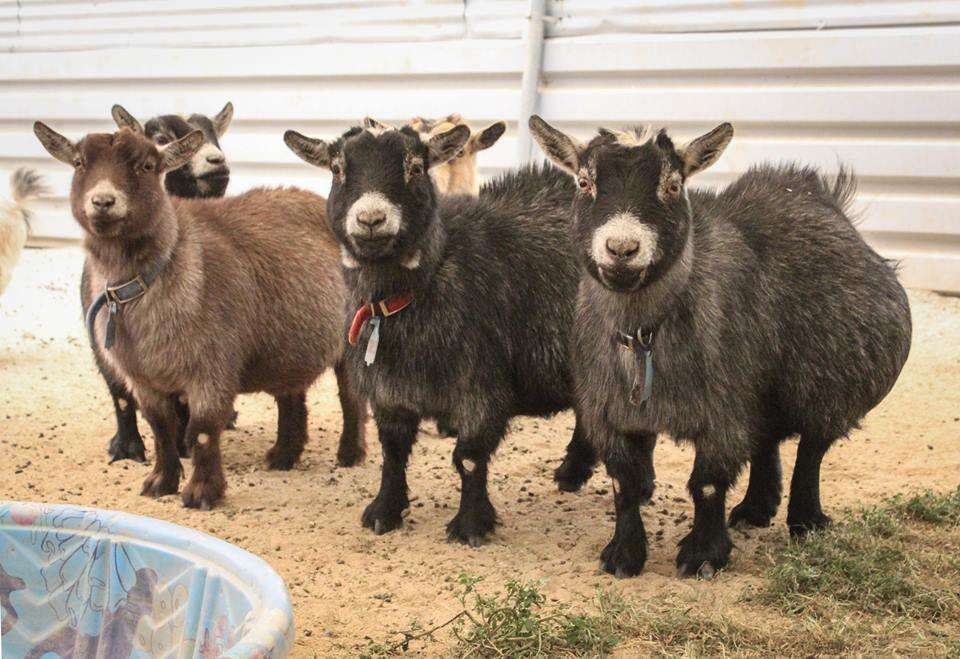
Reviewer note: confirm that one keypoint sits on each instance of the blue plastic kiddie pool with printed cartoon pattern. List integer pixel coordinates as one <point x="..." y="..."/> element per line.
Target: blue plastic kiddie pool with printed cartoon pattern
<point x="81" y="582"/>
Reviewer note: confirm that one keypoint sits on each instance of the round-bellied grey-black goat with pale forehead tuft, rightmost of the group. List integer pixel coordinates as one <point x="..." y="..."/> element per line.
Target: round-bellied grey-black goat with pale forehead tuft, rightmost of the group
<point x="771" y="317"/>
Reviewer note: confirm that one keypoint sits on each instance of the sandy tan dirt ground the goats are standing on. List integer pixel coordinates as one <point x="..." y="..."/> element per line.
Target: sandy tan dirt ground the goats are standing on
<point x="346" y="583"/>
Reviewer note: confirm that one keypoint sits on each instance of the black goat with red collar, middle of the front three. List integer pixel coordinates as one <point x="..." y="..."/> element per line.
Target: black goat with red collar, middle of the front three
<point x="493" y="282"/>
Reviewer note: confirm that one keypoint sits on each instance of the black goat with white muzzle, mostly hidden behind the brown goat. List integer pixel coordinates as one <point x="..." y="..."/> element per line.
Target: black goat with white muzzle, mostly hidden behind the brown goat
<point x="209" y="178"/>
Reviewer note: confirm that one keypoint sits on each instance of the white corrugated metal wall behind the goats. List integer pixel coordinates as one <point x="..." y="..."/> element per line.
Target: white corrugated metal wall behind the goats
<point x="872" y="84"/>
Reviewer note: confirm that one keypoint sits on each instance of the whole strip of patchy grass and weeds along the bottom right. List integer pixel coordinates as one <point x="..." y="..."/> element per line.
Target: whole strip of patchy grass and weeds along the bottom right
<point x="884" y="580"/>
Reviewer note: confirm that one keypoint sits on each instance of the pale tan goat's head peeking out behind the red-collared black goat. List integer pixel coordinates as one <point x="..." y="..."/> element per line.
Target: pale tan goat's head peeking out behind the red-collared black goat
<point x="459" y="175"/>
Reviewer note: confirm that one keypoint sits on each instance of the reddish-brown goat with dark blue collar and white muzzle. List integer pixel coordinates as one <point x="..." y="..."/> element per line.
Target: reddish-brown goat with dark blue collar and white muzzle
<point x="242" y="294"/>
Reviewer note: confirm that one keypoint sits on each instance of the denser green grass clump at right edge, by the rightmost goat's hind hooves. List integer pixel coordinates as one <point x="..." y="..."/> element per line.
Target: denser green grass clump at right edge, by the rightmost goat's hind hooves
<point x="874" y="562"/>
